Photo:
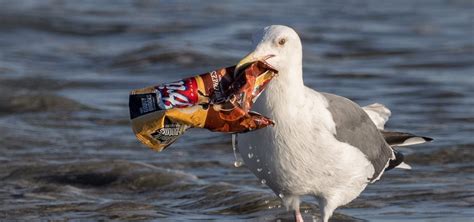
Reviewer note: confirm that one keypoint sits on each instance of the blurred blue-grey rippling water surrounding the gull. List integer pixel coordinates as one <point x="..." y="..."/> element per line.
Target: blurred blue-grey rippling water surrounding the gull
<point x="66" y="67"/>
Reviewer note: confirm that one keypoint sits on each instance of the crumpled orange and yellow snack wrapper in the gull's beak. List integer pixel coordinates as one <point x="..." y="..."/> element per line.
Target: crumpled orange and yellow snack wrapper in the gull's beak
<point x="219" y="101"/>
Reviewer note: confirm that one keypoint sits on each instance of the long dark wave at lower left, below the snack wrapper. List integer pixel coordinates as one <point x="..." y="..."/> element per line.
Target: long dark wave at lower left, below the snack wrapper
<point x="113" y="174"/>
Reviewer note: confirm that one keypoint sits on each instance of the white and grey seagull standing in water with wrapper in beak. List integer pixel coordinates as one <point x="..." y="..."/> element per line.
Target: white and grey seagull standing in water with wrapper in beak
<point x="322" y="145"/>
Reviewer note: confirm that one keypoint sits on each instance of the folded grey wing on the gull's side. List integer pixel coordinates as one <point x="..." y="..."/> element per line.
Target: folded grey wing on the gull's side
<point x="354" y="126"/>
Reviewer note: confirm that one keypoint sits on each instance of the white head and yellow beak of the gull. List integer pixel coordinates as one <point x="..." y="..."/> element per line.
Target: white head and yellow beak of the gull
<point x="279" y="46"/>
